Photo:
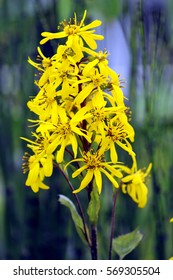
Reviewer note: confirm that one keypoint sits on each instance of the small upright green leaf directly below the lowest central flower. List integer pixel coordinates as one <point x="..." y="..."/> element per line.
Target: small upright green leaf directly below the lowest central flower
<point x="94" y="205"/>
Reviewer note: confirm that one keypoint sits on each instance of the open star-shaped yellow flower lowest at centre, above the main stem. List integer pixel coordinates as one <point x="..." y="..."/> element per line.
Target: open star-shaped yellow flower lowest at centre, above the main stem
<point x="93" y="166"/>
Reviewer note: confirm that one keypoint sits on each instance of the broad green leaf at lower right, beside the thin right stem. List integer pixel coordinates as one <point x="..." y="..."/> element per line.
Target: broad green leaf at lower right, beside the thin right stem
<point x="126" y="243"/>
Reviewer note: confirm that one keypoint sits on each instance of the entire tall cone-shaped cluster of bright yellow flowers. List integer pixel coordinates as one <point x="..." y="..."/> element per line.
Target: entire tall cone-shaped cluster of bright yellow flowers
<point x="80" y="112"/>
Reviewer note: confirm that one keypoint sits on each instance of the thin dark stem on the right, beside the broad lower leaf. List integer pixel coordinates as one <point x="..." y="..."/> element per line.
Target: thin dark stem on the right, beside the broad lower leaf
<point x="115" y="196"/>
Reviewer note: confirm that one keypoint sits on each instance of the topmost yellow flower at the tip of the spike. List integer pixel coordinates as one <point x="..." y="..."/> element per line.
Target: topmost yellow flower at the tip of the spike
<point x="76" y="33"/>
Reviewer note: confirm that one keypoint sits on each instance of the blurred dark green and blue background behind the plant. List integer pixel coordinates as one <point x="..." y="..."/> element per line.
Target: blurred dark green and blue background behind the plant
<point x="35" y="226"/>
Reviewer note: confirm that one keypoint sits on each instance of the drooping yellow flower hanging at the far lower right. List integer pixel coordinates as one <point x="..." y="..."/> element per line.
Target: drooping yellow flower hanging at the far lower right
<point x="134" y="185"/>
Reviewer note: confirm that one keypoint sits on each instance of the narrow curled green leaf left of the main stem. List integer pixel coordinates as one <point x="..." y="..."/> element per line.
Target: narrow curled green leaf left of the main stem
<point x="75" y="217"/>
